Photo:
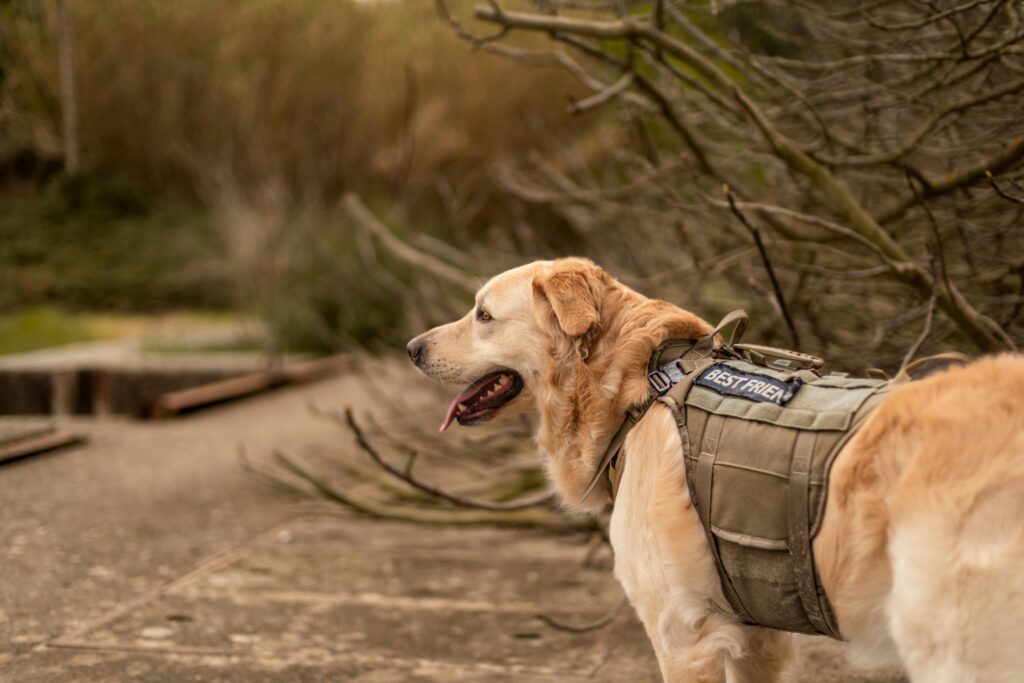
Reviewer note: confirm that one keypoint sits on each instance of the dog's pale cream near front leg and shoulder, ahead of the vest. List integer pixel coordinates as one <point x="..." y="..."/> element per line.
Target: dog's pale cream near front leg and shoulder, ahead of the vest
<point x="665" y="566"/>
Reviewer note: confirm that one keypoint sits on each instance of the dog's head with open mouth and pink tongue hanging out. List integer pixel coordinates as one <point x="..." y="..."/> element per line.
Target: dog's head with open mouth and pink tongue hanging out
<point x="503" y="348"/>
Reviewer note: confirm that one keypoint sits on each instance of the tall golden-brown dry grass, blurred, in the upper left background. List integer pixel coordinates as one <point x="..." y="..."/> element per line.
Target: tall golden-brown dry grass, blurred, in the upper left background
<point x="311" y="96"/>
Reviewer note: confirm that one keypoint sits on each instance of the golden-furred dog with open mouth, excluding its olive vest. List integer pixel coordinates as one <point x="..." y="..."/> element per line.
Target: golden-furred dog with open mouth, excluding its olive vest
<point x="921" y="550"/>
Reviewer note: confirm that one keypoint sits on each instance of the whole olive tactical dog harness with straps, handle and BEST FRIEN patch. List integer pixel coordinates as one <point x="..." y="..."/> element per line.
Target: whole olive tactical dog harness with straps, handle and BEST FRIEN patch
<point x="760" y="430"/>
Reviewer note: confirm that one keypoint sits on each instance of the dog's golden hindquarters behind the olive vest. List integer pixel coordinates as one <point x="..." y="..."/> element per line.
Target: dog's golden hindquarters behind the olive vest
<point x="935" y="484"/>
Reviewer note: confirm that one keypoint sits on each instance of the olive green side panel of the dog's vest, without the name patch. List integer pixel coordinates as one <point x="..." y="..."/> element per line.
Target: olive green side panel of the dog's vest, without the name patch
<point x="758" y="476"/>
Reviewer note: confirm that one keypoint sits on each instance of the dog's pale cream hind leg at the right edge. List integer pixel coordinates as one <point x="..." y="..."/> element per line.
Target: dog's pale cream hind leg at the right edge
<point x="957" y="608"/>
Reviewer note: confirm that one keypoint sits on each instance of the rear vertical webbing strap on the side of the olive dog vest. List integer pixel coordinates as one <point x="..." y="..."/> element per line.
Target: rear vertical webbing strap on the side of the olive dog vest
<point x="800" y="542"/>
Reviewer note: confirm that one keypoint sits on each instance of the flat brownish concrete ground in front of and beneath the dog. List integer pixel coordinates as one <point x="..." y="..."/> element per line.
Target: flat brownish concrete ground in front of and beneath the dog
<point x="151" y="556"/>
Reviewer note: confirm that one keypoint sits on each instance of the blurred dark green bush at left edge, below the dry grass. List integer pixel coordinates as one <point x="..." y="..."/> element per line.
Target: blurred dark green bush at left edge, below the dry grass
<point x="98" y="241"/>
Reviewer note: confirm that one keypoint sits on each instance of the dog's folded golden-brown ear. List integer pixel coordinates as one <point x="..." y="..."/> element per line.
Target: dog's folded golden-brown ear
<point x="570" y="296"/>
